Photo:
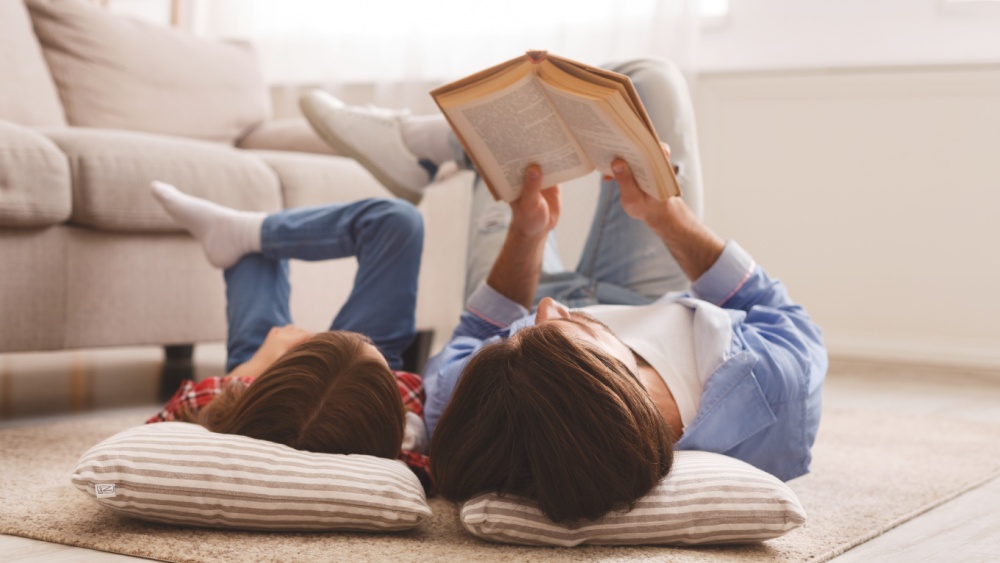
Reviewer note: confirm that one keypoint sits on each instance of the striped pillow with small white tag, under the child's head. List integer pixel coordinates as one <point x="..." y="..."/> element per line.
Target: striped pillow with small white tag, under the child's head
<point x="180" y="473"/>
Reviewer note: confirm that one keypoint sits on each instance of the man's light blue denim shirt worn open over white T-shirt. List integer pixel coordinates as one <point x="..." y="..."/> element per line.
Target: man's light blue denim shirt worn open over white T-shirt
<point x="761" y="405"/>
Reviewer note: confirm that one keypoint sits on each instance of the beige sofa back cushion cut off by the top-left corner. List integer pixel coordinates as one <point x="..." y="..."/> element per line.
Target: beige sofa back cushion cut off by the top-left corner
<point x="27" y="94"/>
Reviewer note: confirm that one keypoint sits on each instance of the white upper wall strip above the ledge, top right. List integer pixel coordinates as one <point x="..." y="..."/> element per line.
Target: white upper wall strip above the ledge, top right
<point x="809" y="34"/>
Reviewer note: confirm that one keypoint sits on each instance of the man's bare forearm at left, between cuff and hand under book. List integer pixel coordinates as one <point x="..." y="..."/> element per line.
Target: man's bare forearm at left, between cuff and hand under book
<point x="517" y="267"/>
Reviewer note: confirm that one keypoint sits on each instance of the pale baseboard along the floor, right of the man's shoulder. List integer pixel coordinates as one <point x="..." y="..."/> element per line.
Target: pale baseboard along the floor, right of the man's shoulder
<point x="965" y="352"/>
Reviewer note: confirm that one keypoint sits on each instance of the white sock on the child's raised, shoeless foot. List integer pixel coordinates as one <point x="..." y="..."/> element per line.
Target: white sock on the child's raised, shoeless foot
<point x="226" y="234"/>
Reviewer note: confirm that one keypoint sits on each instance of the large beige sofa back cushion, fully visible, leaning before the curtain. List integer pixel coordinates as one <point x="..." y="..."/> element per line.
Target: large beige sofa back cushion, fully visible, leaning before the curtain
<point x="118" y="73"/>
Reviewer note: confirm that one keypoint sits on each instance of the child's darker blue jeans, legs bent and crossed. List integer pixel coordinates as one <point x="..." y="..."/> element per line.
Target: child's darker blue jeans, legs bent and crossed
<point x="384" y="235"/>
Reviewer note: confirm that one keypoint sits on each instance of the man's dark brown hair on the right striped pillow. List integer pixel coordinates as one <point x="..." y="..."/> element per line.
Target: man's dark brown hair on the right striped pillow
<point x="547" y="417"/>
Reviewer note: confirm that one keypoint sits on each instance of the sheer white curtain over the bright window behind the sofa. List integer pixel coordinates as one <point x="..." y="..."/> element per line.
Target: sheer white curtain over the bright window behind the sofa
<point x="405" y="41"/>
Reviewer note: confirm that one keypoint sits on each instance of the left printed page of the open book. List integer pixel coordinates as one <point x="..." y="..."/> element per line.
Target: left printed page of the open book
<point x="506" y="131"/>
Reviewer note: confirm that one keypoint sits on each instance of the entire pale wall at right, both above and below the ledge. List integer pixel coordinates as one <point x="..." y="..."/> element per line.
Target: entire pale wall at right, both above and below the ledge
<point x="852" y="146"/>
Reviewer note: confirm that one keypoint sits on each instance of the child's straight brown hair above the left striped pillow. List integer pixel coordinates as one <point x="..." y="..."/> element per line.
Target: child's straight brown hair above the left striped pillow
<point x="326" y="395"/>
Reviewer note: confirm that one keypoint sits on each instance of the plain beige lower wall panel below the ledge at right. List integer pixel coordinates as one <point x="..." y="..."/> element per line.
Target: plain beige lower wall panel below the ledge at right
<point x="874" y="194"/>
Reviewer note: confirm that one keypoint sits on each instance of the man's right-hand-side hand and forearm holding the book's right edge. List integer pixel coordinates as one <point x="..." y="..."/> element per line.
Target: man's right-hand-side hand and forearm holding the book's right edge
<point x="692" y="244"/>
